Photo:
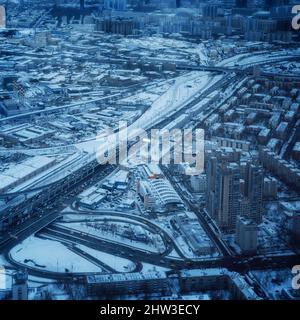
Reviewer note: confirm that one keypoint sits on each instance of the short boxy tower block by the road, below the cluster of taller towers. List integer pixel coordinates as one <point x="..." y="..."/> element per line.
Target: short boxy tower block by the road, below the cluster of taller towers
<point x="246" y="235"/>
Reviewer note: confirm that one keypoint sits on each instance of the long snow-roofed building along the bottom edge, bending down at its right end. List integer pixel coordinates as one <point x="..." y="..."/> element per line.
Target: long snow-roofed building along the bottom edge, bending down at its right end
<point x="159" y="283"/>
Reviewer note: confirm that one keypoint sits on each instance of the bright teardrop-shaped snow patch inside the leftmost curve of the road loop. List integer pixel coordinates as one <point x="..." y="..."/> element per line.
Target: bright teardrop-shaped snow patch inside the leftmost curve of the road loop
<point x="51" y="256"/>
